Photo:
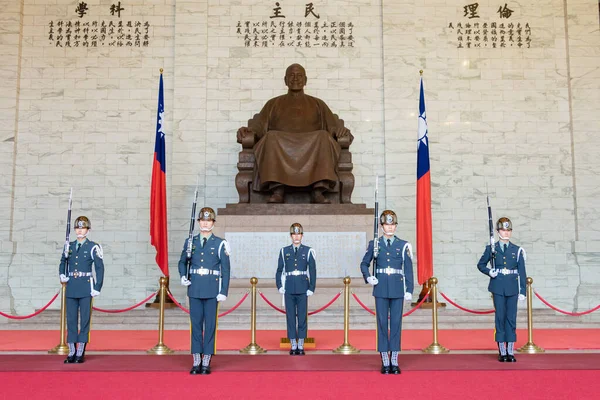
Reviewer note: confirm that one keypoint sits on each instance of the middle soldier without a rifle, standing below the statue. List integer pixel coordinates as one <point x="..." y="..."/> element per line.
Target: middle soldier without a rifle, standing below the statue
<point x="296" y="279"/>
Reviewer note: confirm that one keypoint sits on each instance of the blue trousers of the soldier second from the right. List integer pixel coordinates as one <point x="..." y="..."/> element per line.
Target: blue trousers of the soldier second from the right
<point x="392" y="307"/>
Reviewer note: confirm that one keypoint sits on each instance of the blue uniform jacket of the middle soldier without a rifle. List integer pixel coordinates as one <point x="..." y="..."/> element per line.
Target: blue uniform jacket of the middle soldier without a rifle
<point x="303" y="261"/>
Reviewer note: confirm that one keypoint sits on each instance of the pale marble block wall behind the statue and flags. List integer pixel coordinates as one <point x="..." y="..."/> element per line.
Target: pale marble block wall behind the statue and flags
<point x="519" y="120"/>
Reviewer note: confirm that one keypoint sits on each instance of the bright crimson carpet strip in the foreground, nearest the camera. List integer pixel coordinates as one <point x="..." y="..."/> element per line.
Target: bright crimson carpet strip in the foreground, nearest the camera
<point x="464" y="385"/>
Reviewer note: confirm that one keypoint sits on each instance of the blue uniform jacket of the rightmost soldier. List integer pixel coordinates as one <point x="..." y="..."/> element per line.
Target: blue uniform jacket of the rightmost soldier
<point x="511" y="276"/>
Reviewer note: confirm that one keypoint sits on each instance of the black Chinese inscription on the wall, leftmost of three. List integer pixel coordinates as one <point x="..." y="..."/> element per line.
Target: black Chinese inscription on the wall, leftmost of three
<point x="84" y="33"/>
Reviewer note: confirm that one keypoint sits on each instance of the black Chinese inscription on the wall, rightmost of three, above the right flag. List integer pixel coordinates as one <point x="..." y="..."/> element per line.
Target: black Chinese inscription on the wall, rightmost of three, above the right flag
<point x="503" y="33"/>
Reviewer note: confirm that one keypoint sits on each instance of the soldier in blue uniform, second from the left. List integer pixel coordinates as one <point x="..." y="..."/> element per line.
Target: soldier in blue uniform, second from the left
<point x="207" y="280"/>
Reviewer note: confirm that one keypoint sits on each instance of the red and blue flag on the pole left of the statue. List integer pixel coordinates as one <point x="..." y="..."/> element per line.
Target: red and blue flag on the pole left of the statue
<point x="158" y="191"/>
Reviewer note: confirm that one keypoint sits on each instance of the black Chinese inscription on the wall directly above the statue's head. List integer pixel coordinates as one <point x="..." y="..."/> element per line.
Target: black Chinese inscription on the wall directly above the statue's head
<point x="278" y="31"/>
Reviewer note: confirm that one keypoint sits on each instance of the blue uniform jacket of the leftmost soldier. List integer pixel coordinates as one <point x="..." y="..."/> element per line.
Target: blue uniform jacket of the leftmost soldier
<point x="82" y="276"/>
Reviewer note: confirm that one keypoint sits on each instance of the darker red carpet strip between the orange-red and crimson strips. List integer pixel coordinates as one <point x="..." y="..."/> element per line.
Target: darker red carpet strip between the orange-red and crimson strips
<point x="310" y="362"/>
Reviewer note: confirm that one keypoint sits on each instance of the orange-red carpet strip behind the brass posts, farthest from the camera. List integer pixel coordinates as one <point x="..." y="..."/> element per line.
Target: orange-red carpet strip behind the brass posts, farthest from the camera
<point x="472" y="339"/>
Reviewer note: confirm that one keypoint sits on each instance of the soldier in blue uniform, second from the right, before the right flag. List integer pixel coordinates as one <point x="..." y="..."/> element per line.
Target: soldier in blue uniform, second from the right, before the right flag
<point x="392" y="285"/>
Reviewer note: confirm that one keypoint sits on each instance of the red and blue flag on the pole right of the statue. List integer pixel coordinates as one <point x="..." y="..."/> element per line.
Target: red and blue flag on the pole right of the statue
<point x="424" y="239"/>
